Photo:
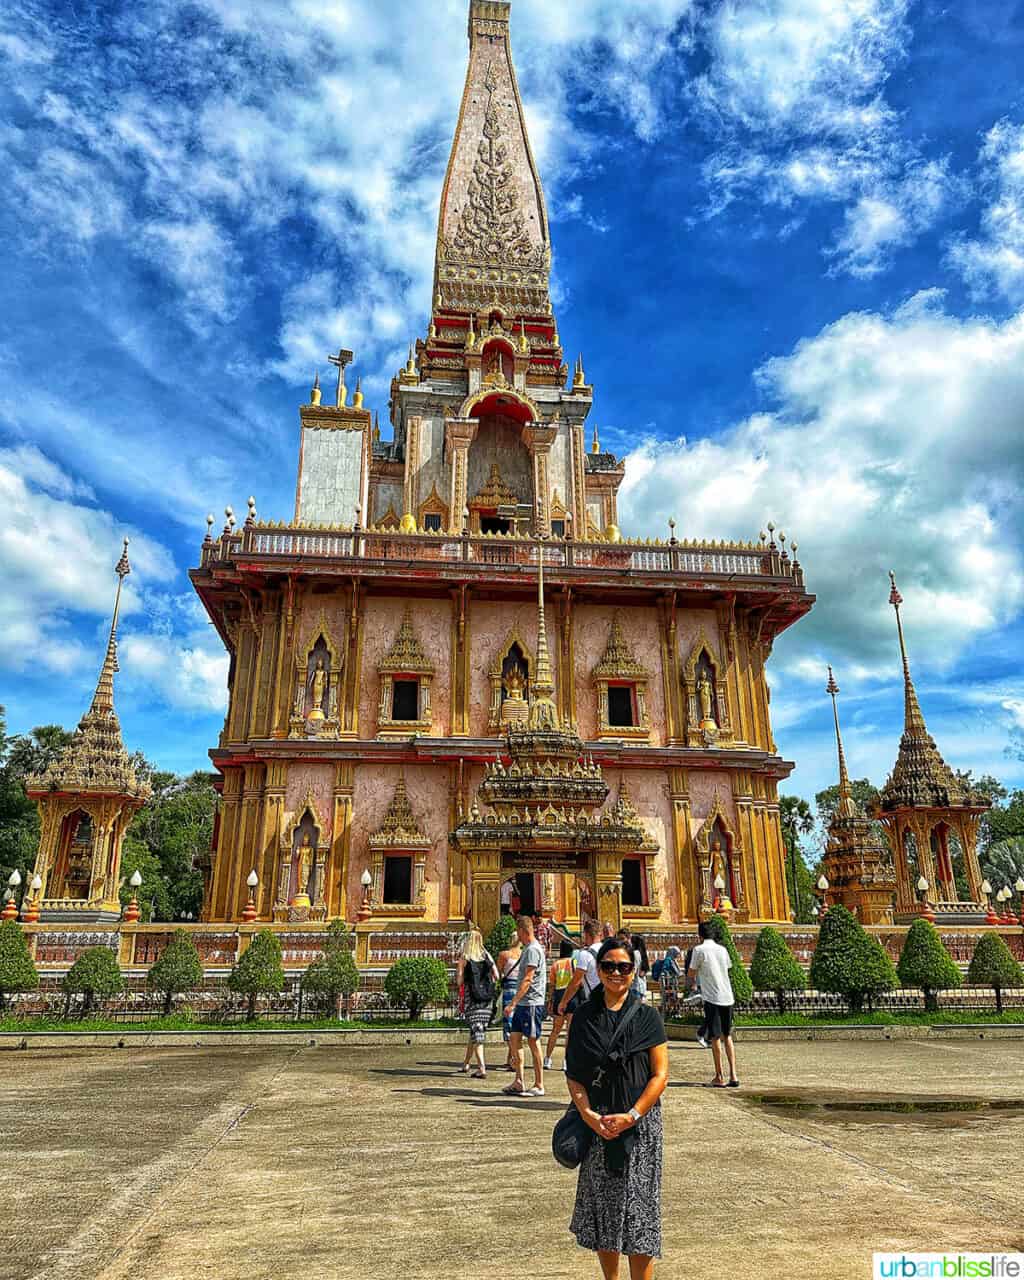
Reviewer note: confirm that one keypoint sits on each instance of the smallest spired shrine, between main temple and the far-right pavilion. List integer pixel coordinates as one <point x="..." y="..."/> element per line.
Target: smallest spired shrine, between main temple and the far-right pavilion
<point x="858" y="863"/>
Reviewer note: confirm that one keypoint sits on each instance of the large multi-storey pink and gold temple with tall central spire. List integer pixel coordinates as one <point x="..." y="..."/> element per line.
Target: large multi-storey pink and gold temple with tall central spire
<point x="450" y="666"/>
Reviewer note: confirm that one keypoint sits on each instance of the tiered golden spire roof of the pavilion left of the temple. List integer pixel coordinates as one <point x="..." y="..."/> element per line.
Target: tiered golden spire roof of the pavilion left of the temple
<point x="95" y="761"/>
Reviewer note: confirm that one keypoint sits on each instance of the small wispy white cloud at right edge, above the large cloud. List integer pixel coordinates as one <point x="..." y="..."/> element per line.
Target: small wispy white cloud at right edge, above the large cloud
<point x="994" y="263"/>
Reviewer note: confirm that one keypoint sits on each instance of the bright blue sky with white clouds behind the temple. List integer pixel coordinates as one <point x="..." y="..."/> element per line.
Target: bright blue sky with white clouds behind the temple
<point x="789" y="241"/>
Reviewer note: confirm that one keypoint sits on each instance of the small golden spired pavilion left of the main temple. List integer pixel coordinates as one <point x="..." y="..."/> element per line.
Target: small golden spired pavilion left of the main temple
<point x="86" y="799"/>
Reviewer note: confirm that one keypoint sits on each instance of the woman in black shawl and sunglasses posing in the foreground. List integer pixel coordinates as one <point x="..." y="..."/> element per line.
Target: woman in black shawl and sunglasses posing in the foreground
<point x="619" y="1196"/>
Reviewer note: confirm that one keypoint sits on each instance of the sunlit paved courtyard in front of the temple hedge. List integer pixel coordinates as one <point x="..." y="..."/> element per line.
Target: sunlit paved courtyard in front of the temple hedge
<point x="282" y="1163"/>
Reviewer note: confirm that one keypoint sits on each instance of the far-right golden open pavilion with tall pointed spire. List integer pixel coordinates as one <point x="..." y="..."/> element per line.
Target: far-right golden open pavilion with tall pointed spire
<point x="931" y="820"/>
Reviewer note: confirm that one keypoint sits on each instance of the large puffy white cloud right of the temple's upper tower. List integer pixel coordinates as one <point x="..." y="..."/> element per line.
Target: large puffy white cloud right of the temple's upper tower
<point x="875" y="458"/>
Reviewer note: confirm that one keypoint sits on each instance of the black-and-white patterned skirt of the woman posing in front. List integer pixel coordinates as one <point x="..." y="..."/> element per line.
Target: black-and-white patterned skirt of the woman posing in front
<point x="623" y="1214"/>
